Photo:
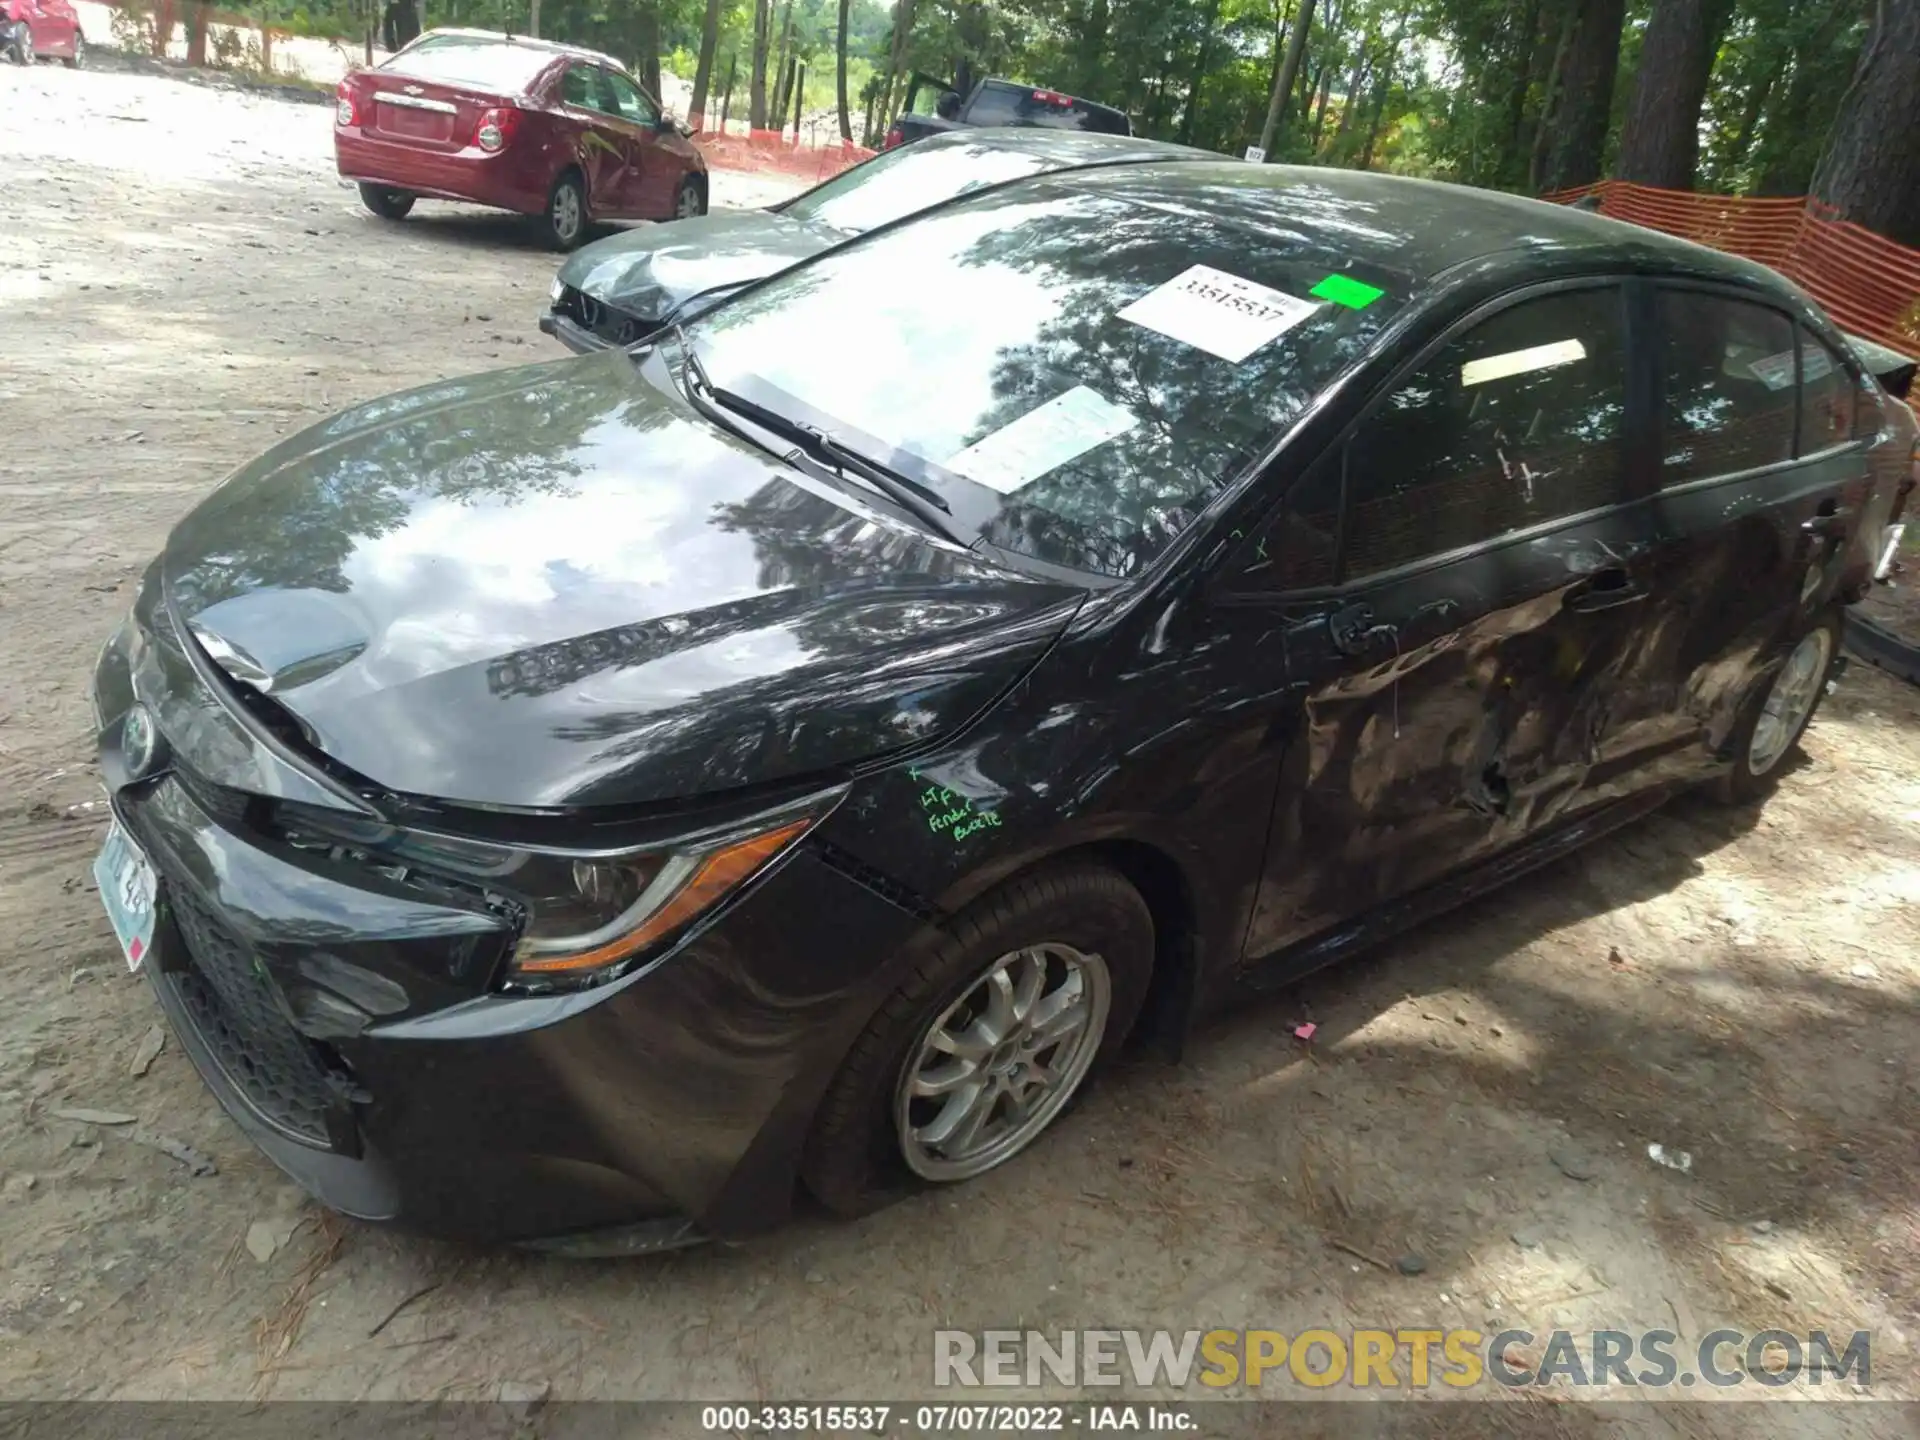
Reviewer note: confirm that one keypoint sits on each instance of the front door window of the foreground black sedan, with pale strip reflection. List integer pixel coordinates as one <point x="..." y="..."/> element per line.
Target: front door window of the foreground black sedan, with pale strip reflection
<point x="1514" y="423"/>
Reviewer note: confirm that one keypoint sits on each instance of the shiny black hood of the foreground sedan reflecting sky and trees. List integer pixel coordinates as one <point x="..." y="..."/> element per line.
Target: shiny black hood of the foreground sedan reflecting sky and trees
<point x="562" y="587"/>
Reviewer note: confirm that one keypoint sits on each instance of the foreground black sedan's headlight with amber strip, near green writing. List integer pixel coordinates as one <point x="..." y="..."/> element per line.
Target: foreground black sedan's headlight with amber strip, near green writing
<point x="587" y="913"/>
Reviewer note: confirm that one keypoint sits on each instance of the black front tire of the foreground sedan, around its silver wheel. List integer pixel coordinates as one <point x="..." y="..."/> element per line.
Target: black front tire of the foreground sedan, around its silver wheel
<point x="857" y="1157"/>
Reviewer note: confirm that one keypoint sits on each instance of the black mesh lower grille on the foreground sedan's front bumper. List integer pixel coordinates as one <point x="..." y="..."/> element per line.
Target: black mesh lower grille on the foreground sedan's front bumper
<point x="237" y="1013"/>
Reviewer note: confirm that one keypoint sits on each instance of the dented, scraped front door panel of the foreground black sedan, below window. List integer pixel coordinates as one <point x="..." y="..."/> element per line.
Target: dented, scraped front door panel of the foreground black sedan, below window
<point x="1474" y="717"/>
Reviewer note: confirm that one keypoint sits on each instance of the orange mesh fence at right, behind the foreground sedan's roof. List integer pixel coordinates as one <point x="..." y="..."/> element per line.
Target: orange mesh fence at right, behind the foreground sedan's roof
<point x="1867" y="283"/>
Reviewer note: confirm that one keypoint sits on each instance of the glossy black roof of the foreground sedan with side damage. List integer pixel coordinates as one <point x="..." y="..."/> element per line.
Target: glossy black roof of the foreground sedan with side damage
<point x="1408" y="226"/>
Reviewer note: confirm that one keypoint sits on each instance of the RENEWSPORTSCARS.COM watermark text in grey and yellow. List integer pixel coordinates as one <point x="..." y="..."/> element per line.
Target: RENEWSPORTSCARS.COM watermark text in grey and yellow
<point x="1387" y="1360"/>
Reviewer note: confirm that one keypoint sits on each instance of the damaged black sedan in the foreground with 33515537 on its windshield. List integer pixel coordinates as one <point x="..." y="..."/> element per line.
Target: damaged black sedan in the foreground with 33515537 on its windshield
<point x="596" y="804"/>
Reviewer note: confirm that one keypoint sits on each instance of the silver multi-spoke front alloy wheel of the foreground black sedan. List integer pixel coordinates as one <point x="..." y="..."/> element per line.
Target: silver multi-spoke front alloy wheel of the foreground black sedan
<point x="1001" y="1063"/>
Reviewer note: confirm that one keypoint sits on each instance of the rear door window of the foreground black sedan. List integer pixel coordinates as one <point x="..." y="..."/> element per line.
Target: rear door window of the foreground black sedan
<point x="1729" y="387"/>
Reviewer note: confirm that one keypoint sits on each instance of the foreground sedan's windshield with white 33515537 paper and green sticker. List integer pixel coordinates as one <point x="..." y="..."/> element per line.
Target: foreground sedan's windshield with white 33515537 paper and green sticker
<point x="1055" y="345"/>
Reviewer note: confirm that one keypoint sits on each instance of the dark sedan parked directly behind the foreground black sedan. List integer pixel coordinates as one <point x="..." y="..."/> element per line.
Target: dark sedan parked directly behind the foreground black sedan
<point x="625" y="287"/>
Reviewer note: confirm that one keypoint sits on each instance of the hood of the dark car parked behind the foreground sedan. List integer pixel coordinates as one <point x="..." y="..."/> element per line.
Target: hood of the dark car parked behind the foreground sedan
<point x="652" y="270"/>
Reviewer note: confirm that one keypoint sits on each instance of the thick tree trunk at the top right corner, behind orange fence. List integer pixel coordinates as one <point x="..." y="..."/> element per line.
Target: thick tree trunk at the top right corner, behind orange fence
<point x="1871" y="168"/>
